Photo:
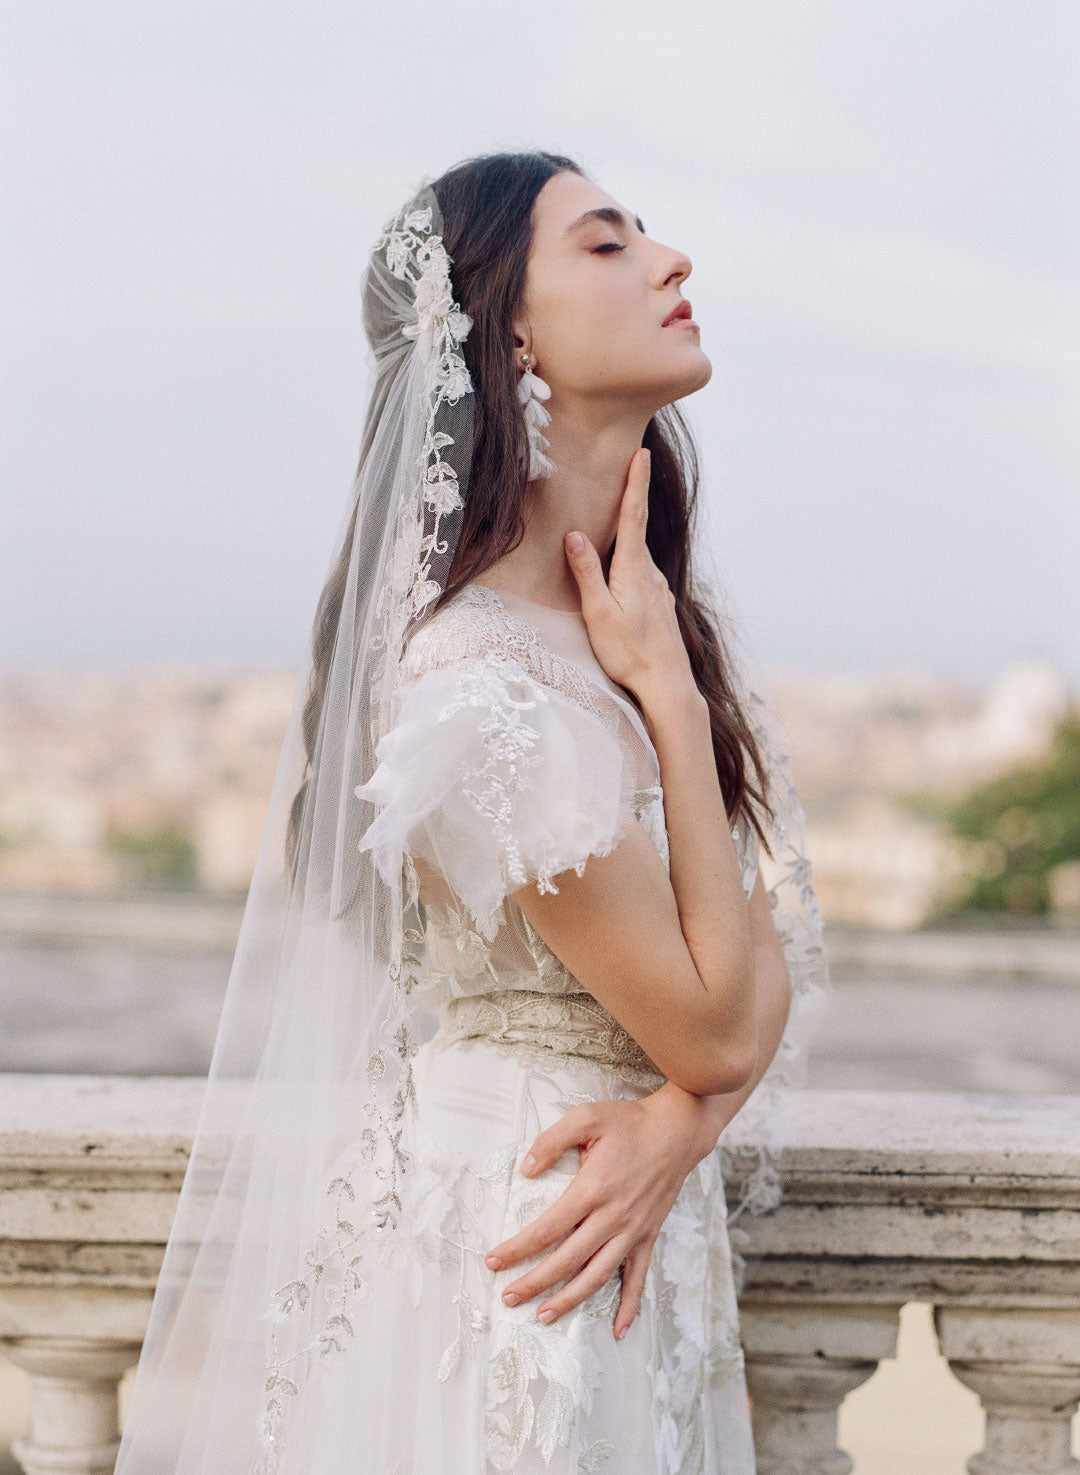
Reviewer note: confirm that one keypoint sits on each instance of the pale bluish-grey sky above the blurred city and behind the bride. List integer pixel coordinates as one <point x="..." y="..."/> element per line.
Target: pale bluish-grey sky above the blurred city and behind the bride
<point x="880" y="200"/>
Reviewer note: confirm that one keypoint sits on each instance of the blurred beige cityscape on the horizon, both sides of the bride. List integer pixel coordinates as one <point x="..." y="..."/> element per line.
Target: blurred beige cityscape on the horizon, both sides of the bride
<point x="160" y="777"/>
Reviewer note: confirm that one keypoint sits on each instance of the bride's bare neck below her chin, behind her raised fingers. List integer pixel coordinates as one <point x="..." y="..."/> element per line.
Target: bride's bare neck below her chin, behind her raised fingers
<point x="584" y="493"/>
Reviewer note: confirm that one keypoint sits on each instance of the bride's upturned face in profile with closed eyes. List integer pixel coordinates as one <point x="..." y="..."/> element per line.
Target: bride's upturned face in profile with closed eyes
<point x="597" y="296"/>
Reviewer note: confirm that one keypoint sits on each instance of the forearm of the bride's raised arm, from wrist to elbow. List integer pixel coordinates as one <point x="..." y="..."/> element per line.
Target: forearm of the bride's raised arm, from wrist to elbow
<point x="705" y="867"/>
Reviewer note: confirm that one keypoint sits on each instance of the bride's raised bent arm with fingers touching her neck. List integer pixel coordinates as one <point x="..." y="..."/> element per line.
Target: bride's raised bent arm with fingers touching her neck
<point x="668" y="952"/>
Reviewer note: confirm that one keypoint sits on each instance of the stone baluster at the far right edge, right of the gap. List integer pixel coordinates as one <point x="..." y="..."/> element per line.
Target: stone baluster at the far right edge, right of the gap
<point x="1025" y="1365"/>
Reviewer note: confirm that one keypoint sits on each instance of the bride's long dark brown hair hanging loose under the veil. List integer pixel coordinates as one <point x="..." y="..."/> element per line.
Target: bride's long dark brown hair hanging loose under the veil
<point x="488" y="229"/>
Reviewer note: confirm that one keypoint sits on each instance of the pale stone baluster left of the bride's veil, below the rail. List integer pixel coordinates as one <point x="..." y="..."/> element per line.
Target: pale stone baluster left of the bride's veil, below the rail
<point x="73" y="1403"/>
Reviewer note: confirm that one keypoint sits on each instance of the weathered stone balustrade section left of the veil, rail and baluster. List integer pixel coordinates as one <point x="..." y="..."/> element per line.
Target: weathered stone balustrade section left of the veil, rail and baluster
<point x="91" y="1170"/>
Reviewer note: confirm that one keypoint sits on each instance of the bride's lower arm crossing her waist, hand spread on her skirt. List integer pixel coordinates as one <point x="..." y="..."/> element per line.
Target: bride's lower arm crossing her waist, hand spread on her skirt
<point x="635" y="1159"/>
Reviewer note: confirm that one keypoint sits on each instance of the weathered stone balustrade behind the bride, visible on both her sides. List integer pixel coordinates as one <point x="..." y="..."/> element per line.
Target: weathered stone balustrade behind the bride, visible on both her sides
<point x="969" y="1203"/>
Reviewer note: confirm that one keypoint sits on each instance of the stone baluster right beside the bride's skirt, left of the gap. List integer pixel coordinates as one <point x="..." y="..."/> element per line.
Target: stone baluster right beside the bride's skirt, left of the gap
<point x="802" y="1364"/>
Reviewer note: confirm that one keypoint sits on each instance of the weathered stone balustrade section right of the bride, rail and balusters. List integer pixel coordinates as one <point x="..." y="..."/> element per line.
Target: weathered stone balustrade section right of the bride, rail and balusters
<point x="967" y="1203"/>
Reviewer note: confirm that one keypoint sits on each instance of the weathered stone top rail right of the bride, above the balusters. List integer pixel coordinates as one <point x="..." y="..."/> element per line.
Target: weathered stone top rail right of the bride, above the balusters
<point x="904" y="1197"/>
